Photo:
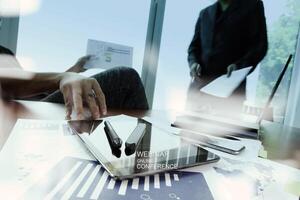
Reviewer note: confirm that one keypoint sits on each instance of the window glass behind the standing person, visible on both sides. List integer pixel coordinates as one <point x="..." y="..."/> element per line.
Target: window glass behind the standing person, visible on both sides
<point x="173" y="72"/>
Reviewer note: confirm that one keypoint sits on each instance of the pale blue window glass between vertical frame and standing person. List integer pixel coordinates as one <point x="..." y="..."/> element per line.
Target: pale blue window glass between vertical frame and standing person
<point x="173" y="72"/>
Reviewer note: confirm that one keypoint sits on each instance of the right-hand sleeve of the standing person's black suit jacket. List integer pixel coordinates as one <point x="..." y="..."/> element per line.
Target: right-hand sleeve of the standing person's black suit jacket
<point x="258" y="38"/>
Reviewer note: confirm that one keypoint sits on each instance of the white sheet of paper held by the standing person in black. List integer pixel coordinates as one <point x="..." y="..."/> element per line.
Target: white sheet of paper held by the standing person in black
<point x="224" y="86"/>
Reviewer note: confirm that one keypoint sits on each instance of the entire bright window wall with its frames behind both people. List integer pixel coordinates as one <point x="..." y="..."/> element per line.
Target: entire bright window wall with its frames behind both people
<point x="55" y="34"/>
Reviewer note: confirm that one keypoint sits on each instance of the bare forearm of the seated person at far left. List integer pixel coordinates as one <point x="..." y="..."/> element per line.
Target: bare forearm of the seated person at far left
<point x="39" y="83"/>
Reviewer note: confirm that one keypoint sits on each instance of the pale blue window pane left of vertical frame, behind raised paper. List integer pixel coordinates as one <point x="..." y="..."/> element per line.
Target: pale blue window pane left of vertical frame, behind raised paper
<point x="54" y="37"/>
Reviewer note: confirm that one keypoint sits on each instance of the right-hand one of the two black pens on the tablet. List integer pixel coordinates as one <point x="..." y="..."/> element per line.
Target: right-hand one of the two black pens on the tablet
<point x="134" y="139"/>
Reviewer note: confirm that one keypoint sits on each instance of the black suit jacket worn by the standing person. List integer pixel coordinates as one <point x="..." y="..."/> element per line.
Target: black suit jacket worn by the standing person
<point x="238" y="37"/>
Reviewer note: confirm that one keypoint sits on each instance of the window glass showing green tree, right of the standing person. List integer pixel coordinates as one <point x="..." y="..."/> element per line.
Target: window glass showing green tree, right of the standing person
<point x="283" y="27"/>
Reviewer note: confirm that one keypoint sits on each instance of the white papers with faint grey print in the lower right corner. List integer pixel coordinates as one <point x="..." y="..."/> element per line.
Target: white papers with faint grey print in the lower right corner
<point x="256" y="179"/>
